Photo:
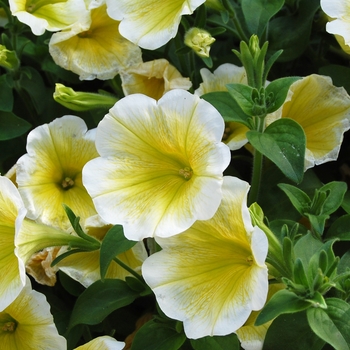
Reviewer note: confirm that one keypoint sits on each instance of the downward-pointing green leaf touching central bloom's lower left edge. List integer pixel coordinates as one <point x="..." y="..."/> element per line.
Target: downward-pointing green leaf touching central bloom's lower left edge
<point x="113" y="244"/>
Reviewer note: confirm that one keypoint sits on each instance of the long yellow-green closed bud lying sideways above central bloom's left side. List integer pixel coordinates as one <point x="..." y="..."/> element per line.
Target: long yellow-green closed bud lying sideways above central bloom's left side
<point x="82" y="101"/>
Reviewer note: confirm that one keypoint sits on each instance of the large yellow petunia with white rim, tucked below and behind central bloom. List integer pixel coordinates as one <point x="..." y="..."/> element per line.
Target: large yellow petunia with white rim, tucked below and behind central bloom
<point x="212" y="275"/>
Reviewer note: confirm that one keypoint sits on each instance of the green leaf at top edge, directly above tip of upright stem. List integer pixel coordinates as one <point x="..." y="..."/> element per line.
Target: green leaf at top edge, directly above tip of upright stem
<point x="257" y="13"/>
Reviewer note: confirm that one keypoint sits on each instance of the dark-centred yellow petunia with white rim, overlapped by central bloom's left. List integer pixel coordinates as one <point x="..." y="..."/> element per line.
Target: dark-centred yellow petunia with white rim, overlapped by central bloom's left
<point x="51" y="172"/>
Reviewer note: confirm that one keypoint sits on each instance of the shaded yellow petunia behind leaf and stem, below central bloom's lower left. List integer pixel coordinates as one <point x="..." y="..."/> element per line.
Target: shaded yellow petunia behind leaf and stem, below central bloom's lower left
<point x="84" y="267"/>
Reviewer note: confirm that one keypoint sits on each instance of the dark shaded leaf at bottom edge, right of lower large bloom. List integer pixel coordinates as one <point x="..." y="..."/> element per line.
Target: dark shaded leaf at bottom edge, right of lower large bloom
<point x="291" y="332"/>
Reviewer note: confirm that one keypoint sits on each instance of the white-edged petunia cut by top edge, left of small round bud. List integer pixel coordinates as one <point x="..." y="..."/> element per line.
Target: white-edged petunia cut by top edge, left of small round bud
<point x="150" y="26"/>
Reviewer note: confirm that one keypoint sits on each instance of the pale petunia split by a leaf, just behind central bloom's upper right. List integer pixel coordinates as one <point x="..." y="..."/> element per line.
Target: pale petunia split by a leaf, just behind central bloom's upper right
<point x="227" y="73"/>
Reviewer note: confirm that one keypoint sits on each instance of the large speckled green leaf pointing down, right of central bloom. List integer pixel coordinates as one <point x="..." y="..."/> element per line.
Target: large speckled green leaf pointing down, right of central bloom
<point x="283" y="142"/>
